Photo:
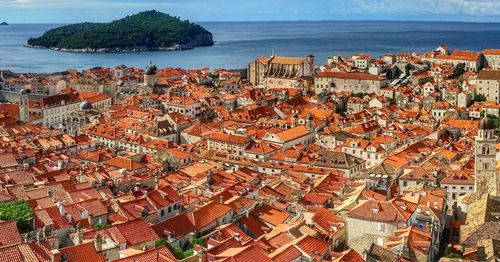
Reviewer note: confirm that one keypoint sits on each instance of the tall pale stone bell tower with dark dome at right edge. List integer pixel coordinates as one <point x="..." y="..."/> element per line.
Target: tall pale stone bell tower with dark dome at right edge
<point x="486" y="179"/>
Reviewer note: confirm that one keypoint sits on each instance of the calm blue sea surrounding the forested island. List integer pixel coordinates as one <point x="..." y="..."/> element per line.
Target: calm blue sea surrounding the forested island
<point x="237" y="43"/>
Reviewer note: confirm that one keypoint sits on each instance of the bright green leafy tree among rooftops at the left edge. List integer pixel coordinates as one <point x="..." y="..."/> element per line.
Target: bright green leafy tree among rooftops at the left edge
<point x="18" y="211"/>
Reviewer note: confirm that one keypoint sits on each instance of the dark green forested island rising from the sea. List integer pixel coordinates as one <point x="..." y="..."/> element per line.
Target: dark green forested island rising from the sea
<point x="145" y="31"/>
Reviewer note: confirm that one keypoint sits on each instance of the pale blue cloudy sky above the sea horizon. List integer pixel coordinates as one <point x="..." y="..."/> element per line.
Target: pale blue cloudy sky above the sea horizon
<point x="70" y="11"/>
